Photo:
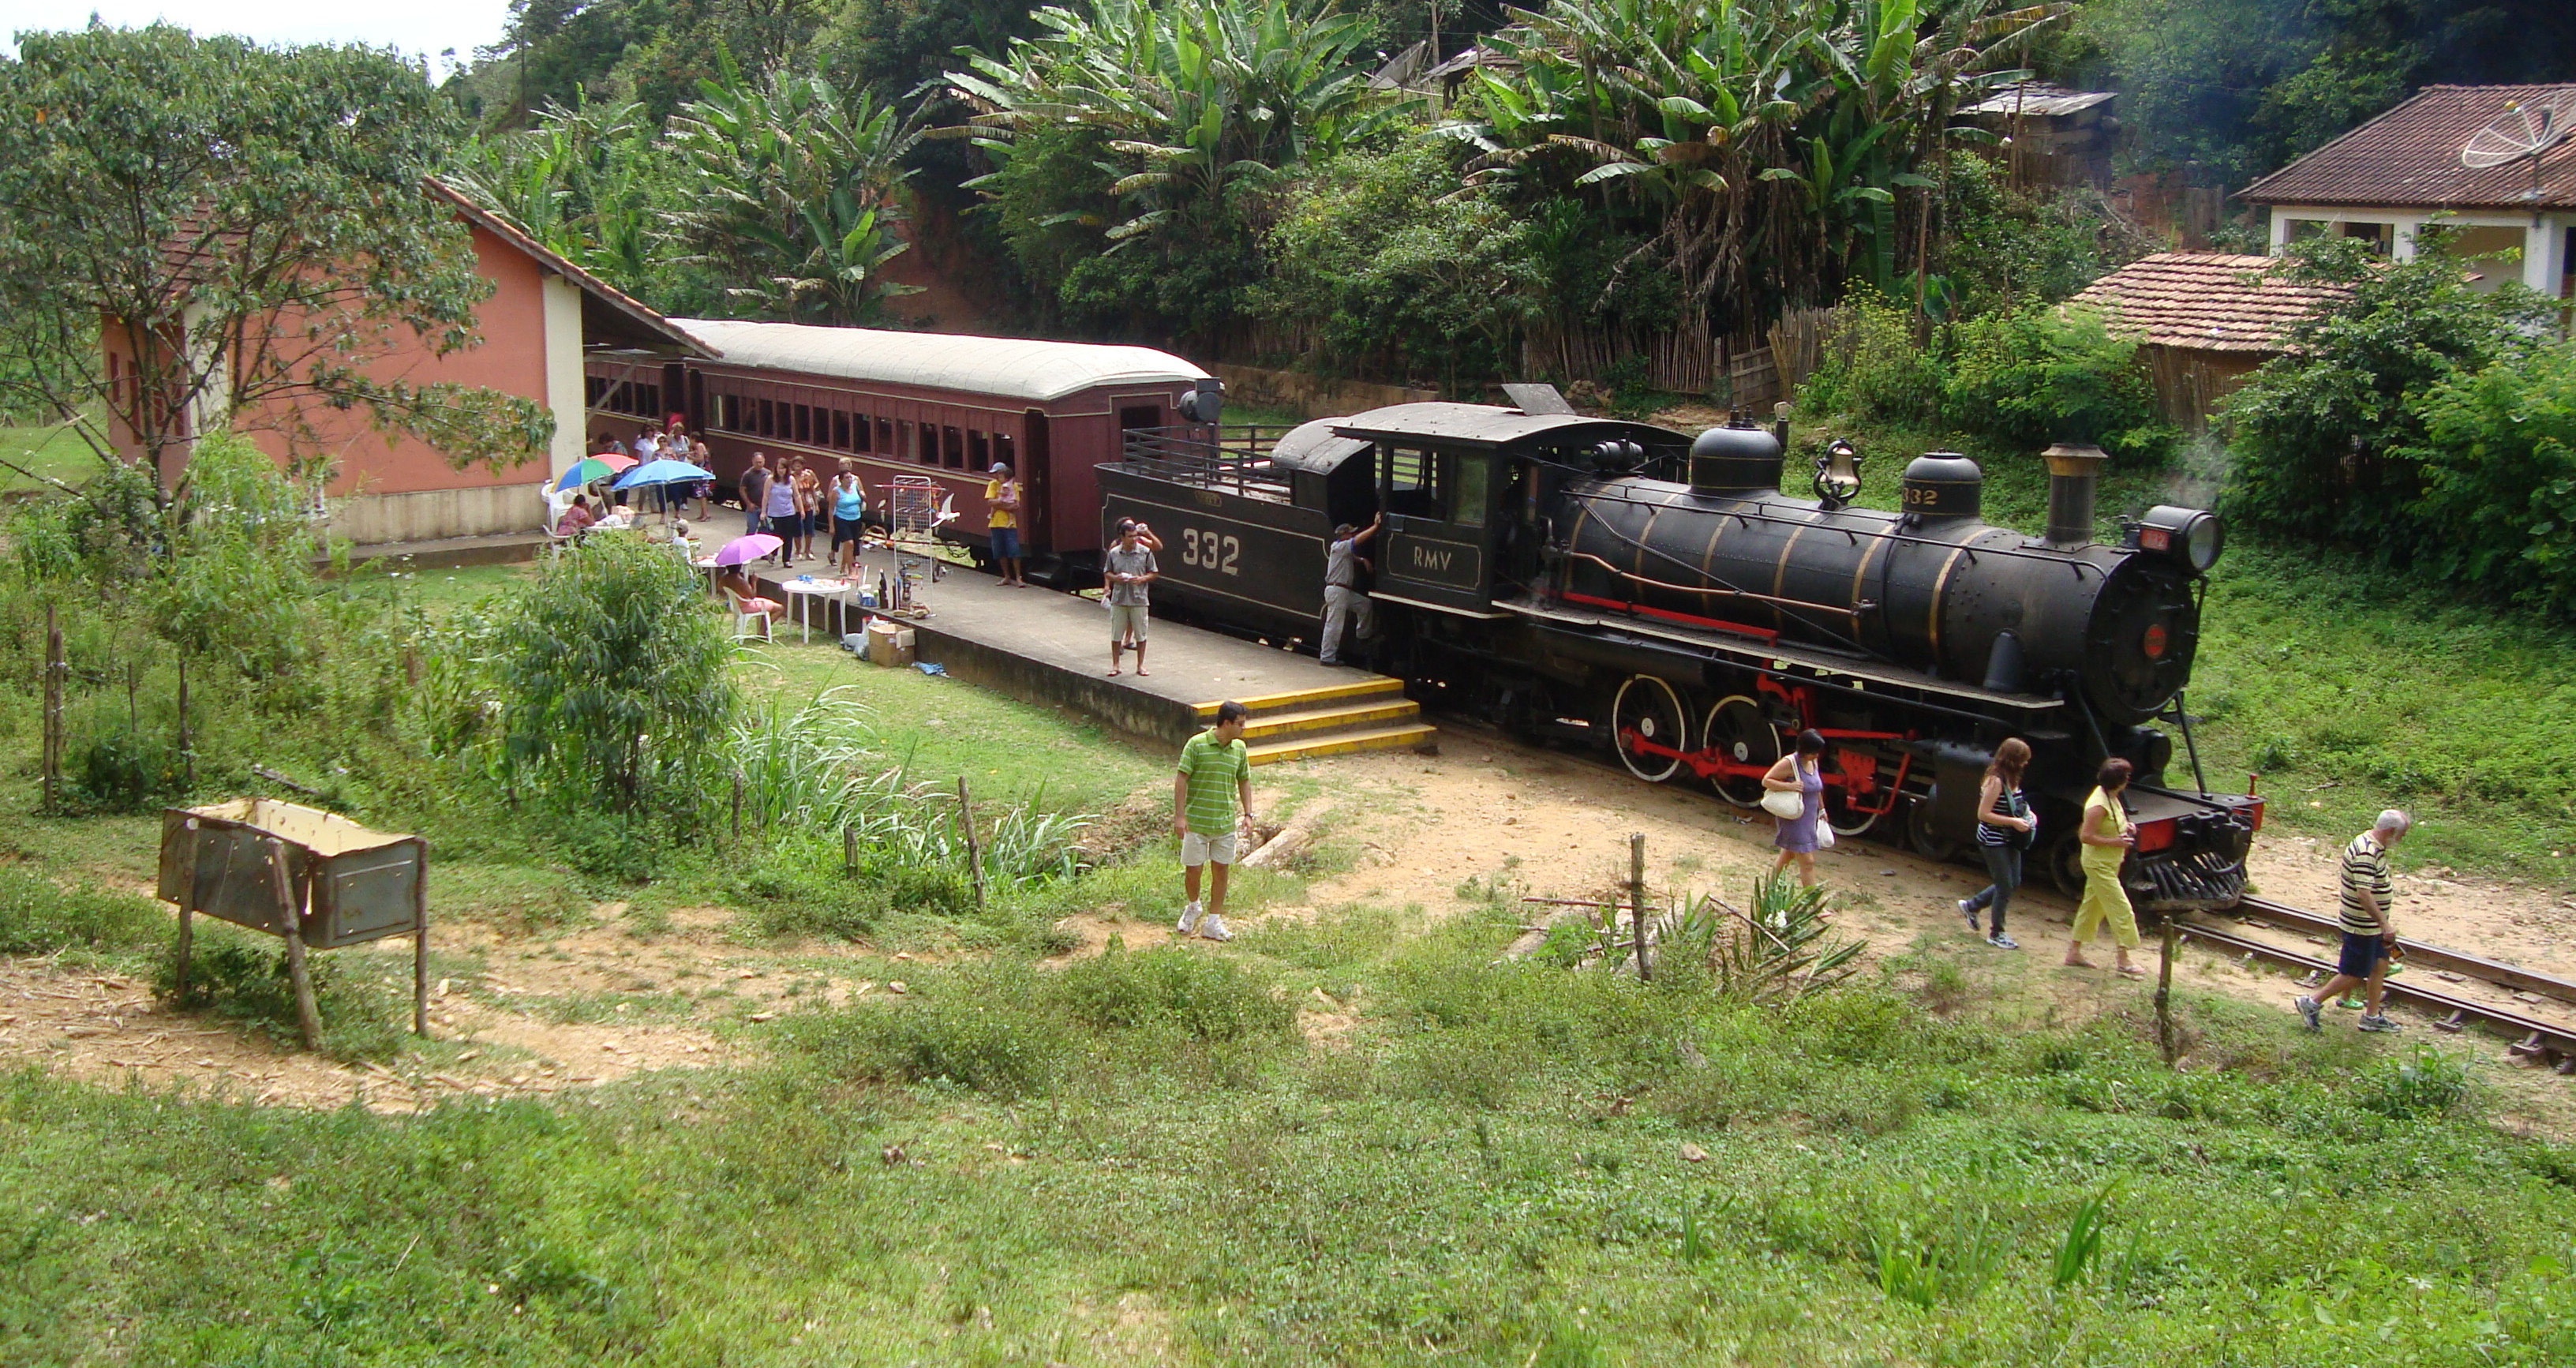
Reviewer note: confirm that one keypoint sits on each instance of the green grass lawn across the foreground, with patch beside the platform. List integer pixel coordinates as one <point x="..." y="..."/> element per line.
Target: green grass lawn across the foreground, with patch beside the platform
<point x="1341" y="1140"/>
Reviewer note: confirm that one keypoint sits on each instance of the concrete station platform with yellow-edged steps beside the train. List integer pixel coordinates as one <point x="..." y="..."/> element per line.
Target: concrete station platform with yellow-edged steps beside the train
<point x="1052" y="648"/>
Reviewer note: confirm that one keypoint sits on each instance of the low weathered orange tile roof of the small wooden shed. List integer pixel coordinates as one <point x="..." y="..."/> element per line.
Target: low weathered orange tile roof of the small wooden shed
<point x="2206" y="300"/>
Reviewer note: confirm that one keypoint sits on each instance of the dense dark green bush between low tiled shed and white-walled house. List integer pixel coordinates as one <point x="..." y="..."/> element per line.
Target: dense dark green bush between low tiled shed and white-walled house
<point x="2325" y="434"/>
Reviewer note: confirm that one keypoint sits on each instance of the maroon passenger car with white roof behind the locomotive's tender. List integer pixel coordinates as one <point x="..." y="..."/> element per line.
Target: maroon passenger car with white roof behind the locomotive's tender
<point x="913" y="403"/>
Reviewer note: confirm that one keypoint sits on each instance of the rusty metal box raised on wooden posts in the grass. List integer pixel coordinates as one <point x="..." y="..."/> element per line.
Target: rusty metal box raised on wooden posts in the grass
<point x="354" y="885"/>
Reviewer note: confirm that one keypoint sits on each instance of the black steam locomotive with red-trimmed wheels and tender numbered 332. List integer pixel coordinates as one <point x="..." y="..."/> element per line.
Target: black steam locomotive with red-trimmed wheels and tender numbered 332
<point x="1671" y="604"/>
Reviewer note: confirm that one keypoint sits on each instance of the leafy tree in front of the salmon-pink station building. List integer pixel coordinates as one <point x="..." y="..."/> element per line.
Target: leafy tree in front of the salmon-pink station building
<point x="249" y="231"/>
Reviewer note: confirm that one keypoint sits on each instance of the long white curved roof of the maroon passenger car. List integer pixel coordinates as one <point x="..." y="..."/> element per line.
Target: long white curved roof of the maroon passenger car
<point x="1011" y="367"/>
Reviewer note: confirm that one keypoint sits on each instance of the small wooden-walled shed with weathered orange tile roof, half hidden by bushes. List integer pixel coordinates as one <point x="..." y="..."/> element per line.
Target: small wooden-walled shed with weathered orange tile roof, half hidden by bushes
<point x="2204" y="321"/>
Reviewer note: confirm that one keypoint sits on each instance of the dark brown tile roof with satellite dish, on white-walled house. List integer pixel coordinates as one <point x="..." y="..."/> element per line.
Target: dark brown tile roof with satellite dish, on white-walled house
<point x="2410" y="158"/>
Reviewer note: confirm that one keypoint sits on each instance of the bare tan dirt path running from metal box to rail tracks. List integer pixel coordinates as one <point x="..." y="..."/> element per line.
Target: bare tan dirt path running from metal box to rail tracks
<point x="1485" y="823"/>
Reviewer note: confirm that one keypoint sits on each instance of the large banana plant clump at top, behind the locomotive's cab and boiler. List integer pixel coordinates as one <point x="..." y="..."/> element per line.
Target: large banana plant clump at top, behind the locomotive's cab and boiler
<point x="1768" y="143"/>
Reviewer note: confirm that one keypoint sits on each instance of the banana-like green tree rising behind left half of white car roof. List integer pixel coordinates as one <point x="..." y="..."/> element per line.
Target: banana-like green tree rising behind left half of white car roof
<point x="792" y="195"/>
